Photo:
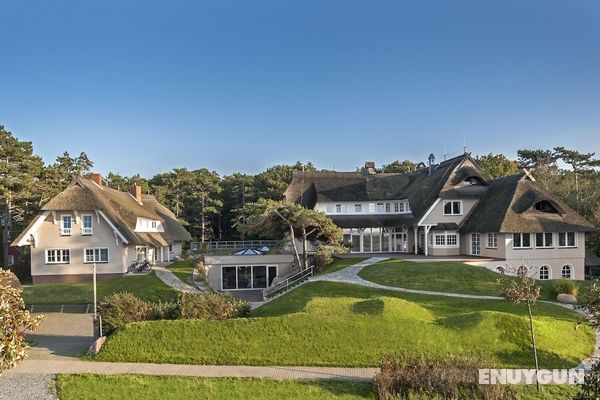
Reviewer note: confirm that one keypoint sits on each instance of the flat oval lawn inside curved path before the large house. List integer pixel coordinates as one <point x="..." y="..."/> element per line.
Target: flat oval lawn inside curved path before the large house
<point x="448" y="277"/>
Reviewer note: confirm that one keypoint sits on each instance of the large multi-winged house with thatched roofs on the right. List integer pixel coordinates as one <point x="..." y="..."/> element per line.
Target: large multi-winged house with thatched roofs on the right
<point x="450" y="209"/>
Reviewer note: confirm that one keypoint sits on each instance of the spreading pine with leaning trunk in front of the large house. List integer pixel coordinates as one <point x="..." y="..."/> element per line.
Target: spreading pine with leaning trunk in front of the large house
<point x="270" y="218"/>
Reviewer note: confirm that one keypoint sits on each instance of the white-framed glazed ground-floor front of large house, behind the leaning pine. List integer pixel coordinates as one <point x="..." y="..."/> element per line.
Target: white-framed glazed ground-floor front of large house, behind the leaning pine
<point x="377" y="240"/>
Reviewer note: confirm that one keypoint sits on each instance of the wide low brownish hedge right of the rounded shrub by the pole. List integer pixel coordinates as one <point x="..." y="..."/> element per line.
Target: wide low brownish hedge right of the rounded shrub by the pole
<point x="211" y="306"/>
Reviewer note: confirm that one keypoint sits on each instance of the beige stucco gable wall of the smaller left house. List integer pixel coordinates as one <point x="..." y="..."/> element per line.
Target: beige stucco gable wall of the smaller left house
<point x="49" y="237"/>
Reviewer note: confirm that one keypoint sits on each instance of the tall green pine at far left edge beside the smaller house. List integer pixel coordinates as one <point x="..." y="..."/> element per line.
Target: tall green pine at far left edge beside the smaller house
<point x="20" y="170"/>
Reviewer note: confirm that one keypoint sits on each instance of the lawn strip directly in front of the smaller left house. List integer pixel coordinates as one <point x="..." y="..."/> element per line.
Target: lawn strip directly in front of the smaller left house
<point x="147" y="287"/>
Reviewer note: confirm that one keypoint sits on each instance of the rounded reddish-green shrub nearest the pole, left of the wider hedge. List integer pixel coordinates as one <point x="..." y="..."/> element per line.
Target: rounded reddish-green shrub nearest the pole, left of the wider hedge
<point x="119" y="309"/>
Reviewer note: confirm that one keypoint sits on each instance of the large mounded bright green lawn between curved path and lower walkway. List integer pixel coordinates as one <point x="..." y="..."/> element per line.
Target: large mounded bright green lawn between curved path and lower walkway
<point x="337" y="324"/>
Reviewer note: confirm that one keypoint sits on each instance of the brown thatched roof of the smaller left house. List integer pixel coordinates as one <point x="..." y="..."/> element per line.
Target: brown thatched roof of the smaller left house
<point x="121" y="209"/>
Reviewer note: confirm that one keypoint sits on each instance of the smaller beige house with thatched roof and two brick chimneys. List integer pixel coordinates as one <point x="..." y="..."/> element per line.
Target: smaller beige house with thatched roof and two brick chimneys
<point x="91" y="223"/>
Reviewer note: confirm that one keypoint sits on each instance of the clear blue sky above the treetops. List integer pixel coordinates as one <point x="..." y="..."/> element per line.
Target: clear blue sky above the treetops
<point x="147" y="86"/>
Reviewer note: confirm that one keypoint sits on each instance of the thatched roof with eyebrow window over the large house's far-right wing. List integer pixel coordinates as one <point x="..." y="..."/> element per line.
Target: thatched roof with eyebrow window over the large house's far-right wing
<point x="507" y="206"/>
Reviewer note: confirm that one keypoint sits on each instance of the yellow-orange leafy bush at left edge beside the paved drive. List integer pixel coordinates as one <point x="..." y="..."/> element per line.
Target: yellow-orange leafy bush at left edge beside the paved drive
<point x="16" y="321"/>
